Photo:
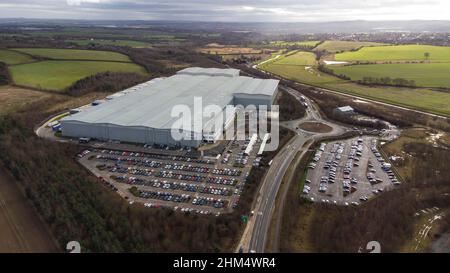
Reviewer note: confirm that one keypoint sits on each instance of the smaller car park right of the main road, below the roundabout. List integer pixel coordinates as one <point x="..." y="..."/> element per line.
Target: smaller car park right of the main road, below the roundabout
<point x="348" y="172"/>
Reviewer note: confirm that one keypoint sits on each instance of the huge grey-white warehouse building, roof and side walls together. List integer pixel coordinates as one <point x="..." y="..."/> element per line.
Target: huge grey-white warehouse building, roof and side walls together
<point x="142" y="114"/>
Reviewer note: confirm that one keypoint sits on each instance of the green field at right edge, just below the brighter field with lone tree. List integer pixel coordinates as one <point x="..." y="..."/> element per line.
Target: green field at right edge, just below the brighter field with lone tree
<point x="426" y="75"/>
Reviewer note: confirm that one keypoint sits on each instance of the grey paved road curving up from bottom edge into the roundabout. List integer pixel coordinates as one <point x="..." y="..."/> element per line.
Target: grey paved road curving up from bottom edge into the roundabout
<point x="255" y="235"/>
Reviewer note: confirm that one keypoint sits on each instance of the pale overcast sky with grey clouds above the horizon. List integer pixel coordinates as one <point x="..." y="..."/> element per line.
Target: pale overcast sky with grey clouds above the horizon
<point x="230" y="10"/>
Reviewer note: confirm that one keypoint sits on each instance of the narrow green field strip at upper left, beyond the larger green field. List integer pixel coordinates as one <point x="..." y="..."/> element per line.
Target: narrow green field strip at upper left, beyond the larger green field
<point x="75" y="54"/>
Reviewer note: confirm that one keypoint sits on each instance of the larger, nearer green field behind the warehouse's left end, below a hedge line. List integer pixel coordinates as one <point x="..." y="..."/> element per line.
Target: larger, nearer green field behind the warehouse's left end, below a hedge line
<point x="58" y="75"/>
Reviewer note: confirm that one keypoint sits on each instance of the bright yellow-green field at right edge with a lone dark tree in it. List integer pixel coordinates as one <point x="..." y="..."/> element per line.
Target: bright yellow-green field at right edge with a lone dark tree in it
<point x="397" y="53"/>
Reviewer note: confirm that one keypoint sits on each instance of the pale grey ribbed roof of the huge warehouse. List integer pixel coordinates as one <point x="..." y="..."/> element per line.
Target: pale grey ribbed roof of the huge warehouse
<point x="150" y="104"/>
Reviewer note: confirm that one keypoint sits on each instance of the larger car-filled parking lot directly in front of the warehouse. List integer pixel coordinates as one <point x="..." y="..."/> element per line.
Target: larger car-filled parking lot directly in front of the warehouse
<point x="204" y="186"/>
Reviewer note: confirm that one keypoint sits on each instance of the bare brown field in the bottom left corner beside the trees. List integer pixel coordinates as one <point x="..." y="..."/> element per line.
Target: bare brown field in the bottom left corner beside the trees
<point x="21" y="230"/>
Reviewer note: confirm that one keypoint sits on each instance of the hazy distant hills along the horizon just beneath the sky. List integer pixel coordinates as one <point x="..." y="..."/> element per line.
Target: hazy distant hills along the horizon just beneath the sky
<point x="265" y="27"/>
